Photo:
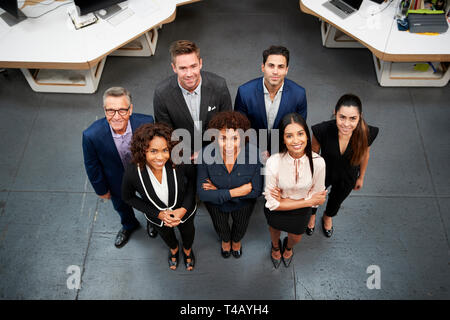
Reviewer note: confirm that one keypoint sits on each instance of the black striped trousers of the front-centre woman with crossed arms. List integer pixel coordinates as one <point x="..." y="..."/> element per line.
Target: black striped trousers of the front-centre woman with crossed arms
<point x="240" y="219"/>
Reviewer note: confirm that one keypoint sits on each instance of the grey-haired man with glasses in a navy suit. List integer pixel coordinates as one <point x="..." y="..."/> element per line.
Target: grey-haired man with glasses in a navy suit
<point x="106" y="151"/>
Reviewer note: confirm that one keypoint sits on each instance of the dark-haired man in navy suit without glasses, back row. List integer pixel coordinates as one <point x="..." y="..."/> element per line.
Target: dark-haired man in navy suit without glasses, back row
<point x="267" y="99"/>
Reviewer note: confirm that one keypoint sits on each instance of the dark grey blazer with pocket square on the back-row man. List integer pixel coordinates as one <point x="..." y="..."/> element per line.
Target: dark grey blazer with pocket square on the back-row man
<point x="170" y="107"/>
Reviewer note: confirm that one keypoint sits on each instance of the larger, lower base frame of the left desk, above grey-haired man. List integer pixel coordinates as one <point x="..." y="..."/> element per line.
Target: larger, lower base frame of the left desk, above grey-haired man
<point x="65" y="81"/>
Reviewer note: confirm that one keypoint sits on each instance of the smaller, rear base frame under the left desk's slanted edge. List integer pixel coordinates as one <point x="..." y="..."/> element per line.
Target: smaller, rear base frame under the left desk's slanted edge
<point x="144" y="46"/>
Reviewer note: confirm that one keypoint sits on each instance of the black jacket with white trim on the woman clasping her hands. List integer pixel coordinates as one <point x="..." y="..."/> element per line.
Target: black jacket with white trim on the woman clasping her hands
<point x="183" y="188"/>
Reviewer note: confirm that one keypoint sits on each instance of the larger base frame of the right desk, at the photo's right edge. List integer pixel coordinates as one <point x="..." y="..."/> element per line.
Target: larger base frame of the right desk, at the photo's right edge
<point x="404" y="74"/>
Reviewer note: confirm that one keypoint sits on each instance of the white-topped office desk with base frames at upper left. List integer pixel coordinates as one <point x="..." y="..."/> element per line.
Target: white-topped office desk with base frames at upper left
<point x="52" y="43"/>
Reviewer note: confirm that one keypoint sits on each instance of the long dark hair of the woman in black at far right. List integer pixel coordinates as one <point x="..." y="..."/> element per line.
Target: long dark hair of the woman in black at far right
<point x="359" y="140"/>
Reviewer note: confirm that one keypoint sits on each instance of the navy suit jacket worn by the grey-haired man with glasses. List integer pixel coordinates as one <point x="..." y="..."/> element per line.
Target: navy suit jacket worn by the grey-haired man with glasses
<point x="101" y="158"/>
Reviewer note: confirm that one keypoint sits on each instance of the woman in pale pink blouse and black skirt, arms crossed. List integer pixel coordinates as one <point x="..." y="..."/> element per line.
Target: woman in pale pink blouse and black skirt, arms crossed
<point x="295" y="182"/>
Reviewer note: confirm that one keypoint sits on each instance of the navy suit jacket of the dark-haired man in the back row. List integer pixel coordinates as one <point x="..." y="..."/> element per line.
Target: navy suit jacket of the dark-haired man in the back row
<point x="250" y="101"/>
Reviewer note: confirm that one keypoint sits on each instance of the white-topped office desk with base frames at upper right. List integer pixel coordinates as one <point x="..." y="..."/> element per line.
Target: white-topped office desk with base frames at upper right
<point x="395" y="53"/>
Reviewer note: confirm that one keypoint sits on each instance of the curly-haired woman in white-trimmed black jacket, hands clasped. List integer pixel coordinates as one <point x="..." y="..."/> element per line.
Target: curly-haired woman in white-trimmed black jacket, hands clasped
<point x="166" y="193"/>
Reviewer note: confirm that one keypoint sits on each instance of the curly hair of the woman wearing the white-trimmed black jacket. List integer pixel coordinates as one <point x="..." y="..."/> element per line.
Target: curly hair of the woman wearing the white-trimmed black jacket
<point x="142" y="137"/>
